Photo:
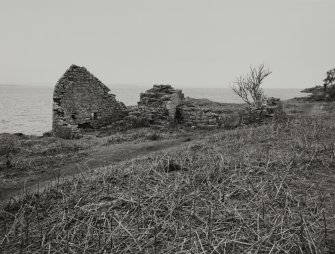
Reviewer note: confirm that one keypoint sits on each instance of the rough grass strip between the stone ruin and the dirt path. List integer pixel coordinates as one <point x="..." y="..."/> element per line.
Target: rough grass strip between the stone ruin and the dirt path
<point x="32" y="156"/>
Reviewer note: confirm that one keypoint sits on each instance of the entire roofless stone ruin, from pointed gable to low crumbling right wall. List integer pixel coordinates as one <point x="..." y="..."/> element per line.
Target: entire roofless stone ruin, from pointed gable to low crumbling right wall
<point x="83" y="103"/>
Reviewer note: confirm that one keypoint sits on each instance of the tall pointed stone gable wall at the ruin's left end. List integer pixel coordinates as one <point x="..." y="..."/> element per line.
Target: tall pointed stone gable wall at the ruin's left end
<point x="82" y="102"/>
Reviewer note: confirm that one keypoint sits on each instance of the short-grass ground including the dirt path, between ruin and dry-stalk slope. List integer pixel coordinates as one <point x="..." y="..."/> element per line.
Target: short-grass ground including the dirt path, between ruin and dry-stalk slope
<point x="38" y="160"/>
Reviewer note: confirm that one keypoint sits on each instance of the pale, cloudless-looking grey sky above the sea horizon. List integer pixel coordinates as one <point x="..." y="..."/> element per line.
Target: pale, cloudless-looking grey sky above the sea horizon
<point x="186" y="43"/>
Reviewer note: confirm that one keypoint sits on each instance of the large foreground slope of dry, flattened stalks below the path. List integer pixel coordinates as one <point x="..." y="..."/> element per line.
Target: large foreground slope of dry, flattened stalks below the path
<point x="263" y="189"/>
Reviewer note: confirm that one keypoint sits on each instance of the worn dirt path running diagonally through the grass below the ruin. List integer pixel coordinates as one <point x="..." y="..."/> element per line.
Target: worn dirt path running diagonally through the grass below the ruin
<point x="103" y="156"/>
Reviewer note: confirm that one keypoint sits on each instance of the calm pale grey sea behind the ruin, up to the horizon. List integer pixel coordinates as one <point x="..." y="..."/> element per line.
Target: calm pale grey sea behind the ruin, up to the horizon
<point x="28" y="109"/>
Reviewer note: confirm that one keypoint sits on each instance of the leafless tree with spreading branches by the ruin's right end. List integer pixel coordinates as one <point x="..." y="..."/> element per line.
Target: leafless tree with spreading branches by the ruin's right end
<point x="249" y="87"/>
